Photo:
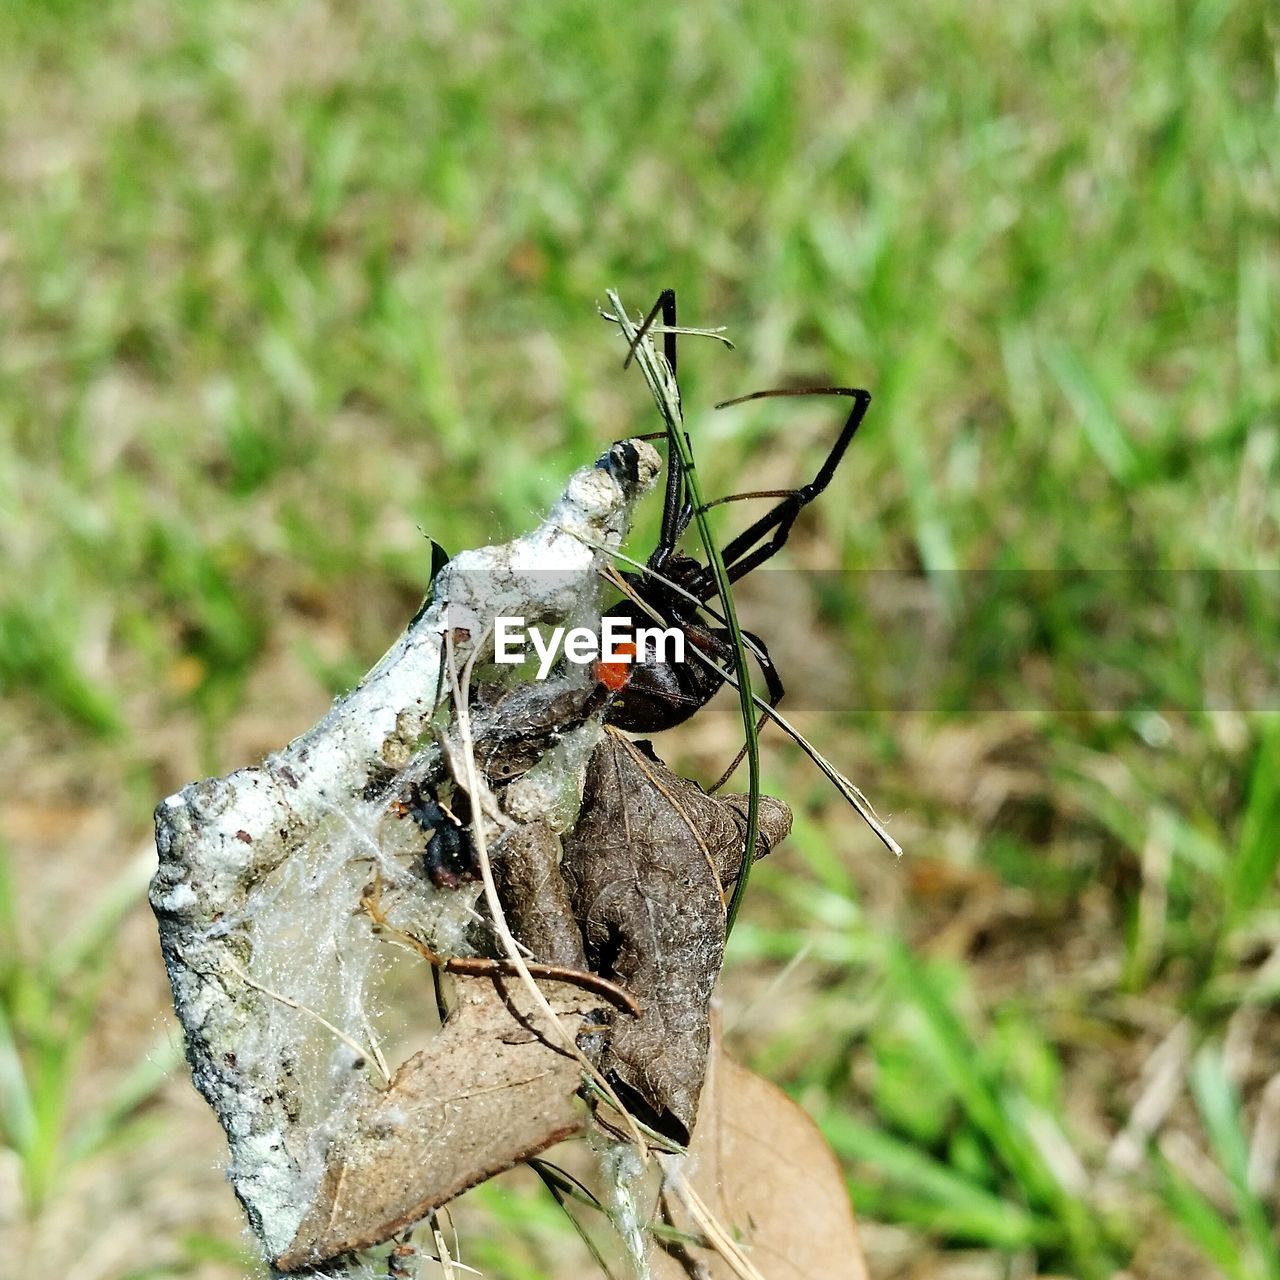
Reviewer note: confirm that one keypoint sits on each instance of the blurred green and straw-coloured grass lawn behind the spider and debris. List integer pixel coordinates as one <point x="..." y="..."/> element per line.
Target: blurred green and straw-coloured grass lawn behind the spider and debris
<point x="284" y="287"/>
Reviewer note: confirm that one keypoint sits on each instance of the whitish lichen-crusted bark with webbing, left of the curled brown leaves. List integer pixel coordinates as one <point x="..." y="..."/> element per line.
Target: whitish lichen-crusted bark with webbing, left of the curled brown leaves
<point x="280" y="979"/>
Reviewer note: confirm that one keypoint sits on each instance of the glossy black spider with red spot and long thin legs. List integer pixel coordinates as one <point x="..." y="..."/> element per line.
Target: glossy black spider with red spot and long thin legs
<point x="652" y="696"/>
